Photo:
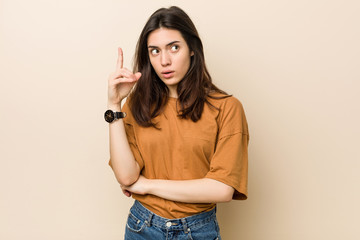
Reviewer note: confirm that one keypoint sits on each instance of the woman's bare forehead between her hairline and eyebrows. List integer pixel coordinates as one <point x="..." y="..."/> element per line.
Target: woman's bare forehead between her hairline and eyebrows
<point x="162" y="36"/>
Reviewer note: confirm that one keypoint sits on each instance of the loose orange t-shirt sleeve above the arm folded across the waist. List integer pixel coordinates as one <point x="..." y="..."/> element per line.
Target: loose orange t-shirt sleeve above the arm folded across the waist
<point x="229" y="163"/>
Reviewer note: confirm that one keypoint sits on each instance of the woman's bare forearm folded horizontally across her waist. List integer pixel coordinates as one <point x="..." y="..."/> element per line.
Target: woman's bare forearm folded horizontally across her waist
<point x="204" y="190"/>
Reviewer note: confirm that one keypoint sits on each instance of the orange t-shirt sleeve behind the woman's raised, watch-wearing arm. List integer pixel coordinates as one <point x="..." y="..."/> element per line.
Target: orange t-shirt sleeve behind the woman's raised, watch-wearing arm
<point x="129" y="123"/>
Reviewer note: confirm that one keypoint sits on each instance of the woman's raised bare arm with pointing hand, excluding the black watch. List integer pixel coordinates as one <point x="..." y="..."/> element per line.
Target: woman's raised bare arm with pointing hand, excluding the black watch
<point x="123" y="163"/>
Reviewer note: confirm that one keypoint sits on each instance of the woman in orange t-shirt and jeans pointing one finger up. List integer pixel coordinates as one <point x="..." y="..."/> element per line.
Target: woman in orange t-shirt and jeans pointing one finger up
<point x="179" y="144"/>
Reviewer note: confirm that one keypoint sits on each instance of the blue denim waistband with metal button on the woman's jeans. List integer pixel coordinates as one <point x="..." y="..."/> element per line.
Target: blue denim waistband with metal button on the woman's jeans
<point x="194" y="221"/>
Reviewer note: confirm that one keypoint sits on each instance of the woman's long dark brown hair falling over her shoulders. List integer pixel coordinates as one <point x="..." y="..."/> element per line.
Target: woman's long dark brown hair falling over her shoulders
<point x="150" y="94"/>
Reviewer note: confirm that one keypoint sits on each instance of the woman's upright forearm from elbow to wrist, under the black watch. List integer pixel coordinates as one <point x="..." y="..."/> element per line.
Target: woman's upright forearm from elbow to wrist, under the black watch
<point x="124" y="165"/>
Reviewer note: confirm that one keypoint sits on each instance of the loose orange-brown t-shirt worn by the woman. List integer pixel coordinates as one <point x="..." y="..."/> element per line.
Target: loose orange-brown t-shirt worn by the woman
<point x="213" y="147"/>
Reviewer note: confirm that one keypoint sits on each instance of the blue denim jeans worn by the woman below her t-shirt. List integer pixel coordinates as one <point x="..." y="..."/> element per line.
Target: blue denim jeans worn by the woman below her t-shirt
<point x="143" y="224"/>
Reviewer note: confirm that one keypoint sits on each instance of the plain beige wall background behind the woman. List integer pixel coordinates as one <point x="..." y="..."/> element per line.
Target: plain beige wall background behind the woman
<point x="293" y="64"/>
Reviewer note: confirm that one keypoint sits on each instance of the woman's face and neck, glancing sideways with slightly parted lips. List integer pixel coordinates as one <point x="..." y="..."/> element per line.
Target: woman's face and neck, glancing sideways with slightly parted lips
<point x="170" y="56"/>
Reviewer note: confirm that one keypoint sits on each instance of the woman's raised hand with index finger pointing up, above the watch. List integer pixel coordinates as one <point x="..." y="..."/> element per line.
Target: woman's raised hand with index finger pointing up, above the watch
<point x="120" y="82"/>
